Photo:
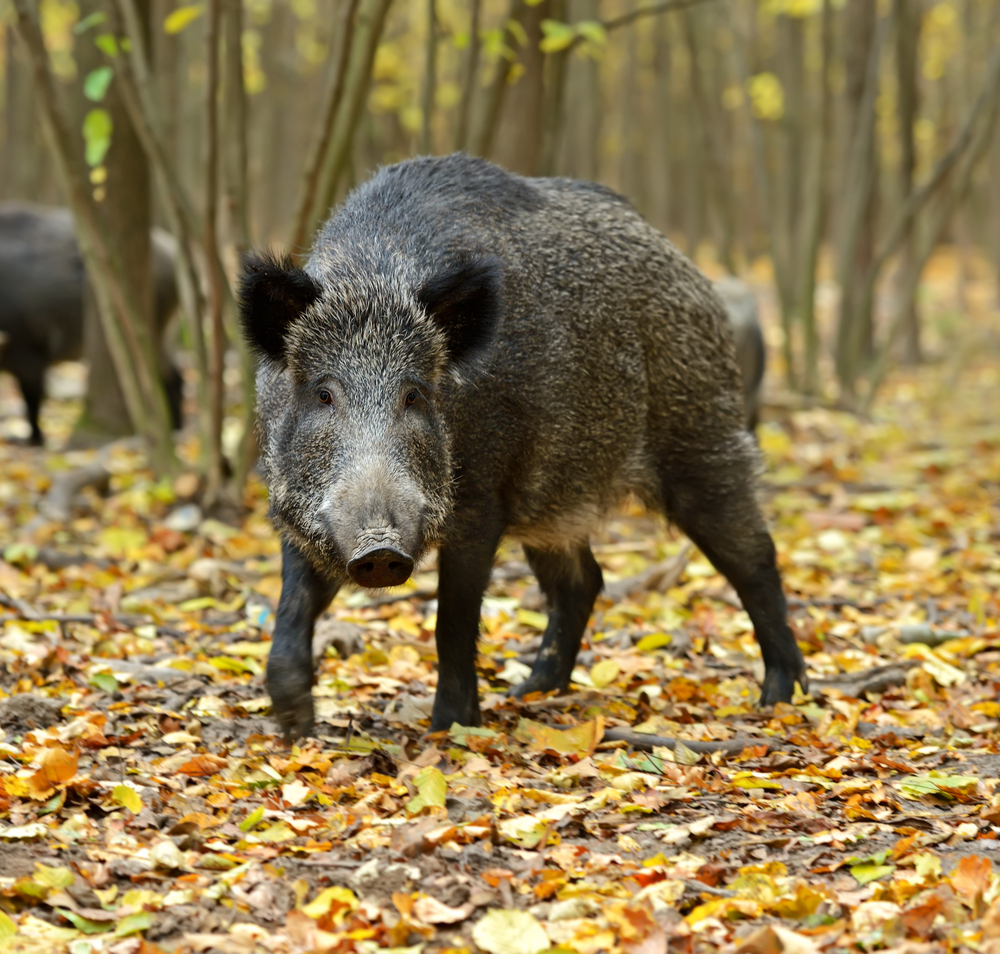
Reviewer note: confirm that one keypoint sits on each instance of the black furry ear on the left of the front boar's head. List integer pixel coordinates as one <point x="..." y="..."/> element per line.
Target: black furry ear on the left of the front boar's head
<point x="273" y="295"/>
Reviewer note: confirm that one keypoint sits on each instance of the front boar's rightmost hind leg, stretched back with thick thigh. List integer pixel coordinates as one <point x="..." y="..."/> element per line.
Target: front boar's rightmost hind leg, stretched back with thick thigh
<point x="714" y="504"/>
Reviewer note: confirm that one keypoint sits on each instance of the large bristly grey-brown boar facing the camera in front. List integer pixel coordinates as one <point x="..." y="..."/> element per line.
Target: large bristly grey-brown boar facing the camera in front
<point x="469" y="354"/>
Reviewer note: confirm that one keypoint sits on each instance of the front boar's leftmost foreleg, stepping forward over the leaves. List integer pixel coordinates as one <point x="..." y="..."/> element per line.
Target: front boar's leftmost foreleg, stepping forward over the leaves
<point x="304" y="595"/>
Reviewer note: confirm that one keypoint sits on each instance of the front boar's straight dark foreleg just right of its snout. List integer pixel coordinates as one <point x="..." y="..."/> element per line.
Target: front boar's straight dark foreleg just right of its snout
<point x="463" y="575"/>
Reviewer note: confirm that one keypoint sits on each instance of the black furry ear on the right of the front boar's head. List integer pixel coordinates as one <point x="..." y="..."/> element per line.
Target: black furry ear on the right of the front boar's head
<point x="464" y="301"/>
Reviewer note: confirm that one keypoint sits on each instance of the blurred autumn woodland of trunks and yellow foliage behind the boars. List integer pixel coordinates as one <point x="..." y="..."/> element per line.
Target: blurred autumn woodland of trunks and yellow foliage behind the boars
<point x="833" y="143"/>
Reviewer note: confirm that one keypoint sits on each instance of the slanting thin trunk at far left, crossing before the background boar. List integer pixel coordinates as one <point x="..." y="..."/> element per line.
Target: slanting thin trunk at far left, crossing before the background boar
<point x="128" y="339"/>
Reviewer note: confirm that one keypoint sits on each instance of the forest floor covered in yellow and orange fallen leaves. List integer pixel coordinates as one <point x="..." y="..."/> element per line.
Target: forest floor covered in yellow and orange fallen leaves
<point x="146" y="802"/>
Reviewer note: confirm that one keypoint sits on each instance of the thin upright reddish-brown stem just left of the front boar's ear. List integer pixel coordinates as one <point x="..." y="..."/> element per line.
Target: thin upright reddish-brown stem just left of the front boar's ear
<point x="217" y="351"/>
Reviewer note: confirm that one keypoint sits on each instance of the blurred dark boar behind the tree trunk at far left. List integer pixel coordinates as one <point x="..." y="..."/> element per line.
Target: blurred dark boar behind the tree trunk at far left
<point x="42" y="282"/>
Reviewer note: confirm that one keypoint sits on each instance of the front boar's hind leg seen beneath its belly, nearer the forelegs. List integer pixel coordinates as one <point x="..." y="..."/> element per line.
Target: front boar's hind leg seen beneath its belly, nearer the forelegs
<point x="570" y="581"/>
